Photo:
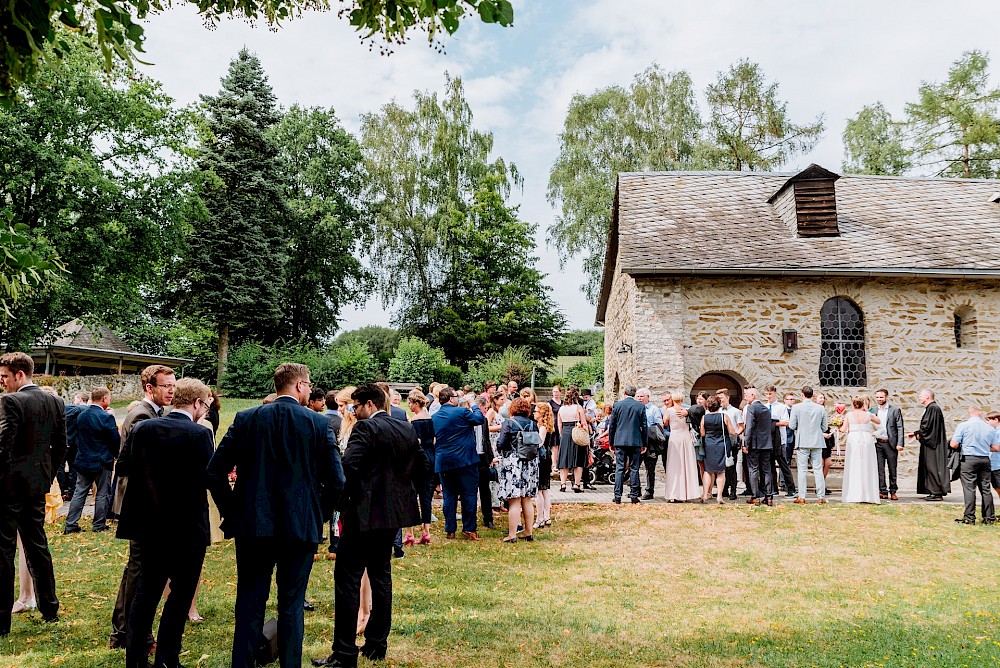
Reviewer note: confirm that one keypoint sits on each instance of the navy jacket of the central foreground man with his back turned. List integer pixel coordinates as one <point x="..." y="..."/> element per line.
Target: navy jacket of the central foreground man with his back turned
<point x="288" y="473"/>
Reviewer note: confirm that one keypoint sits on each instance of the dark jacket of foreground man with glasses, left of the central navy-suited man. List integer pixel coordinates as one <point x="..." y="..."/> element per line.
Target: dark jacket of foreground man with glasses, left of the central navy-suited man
<point x="167" y="499"/>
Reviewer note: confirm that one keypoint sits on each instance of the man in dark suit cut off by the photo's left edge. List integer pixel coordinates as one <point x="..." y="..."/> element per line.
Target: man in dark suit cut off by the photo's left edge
<point x="32" y="449"/>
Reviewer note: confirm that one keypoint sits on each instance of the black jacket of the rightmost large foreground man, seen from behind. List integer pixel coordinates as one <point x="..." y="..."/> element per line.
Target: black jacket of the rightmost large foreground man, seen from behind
<point x="384" y="466"/>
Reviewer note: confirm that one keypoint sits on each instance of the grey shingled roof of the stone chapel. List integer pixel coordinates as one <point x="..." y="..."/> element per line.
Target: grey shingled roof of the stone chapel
<point x="721" y="223"/>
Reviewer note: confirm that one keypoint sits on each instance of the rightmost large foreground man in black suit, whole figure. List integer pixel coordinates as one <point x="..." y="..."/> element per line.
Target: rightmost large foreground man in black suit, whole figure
<point x="384" y="466"/>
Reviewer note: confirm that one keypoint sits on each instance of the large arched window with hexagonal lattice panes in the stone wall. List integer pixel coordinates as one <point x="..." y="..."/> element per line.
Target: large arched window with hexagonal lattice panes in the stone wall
<point x="842" y="352"/>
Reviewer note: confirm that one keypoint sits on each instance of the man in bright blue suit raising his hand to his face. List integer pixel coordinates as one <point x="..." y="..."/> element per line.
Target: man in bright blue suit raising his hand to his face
<point x="456" y="461"/>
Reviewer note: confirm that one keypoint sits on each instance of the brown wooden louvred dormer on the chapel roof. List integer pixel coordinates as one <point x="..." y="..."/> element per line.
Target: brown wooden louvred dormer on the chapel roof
<point x="807" y="203"/>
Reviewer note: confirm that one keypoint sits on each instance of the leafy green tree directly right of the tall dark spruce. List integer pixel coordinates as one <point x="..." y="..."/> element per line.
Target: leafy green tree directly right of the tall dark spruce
<point x="322" y="173"/>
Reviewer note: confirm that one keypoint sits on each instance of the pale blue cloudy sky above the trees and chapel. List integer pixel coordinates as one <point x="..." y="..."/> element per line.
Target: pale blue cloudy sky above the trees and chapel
<point x="829" y="59"/>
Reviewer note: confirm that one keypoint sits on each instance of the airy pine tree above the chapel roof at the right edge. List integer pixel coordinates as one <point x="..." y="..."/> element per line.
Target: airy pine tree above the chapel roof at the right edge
<point x="955" y="125"/>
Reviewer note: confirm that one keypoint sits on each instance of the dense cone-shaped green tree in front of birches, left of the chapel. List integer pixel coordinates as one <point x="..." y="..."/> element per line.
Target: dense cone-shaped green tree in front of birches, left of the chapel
<point x="493" y="297"/>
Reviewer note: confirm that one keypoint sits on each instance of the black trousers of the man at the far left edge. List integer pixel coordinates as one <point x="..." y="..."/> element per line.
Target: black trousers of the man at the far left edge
<point x="25" y="515"/>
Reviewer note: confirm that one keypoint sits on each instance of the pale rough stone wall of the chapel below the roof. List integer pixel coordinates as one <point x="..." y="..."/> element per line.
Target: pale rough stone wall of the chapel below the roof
<point x="682" y="328"/>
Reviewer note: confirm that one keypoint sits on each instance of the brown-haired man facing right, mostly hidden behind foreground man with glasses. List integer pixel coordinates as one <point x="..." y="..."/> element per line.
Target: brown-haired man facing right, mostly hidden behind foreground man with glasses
<point x="158" y="384"/>
